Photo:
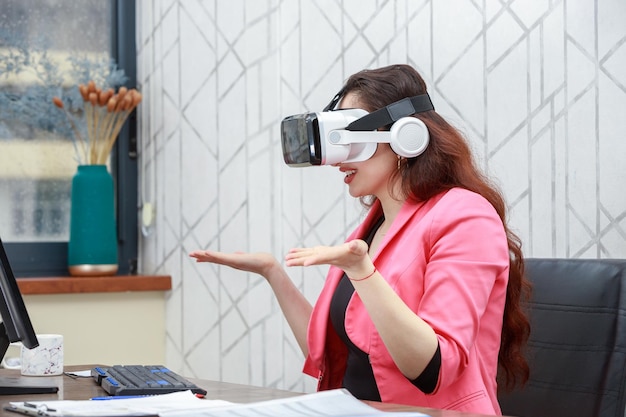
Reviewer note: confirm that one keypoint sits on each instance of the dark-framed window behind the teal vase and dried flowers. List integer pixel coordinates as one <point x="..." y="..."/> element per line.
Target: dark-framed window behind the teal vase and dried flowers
<point x="36" y="148"/>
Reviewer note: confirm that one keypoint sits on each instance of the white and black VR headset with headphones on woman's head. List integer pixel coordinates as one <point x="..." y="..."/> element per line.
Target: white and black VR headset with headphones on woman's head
<point x="350" y="135"/>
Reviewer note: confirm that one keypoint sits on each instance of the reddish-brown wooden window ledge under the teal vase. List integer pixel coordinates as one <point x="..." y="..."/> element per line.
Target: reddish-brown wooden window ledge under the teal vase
<point x="115" y="283"/>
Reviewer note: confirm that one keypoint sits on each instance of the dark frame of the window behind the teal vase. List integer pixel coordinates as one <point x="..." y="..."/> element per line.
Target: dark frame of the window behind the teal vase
<point x="41" y="259"/>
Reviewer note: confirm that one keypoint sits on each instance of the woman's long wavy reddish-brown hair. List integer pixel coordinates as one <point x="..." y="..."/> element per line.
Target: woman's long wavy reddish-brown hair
<point x="447" y="162"/>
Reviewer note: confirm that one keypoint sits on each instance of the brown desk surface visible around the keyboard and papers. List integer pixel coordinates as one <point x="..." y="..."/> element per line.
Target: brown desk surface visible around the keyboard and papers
<point x="85" y="388"/>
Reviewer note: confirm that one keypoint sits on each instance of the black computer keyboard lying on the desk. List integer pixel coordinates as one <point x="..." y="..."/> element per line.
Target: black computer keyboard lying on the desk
<point x="142" y="380"/>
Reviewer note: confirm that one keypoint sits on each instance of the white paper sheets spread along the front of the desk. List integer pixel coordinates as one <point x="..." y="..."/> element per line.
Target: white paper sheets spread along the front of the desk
<point x="334" y="403"/>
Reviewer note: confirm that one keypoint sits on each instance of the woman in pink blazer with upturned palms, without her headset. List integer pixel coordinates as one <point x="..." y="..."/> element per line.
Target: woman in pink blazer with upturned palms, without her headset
<point x="423" y="301"/>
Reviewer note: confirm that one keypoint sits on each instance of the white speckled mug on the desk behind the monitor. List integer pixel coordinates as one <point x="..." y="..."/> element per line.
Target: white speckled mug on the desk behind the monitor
<point x="44" y="360"/>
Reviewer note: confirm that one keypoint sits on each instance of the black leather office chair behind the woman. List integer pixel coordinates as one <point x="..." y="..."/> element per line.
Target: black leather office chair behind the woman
<point x="577" y="346"/>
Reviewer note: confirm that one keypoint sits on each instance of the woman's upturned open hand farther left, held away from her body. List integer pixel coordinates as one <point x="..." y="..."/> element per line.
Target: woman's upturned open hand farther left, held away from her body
<point x="259" y="263"/>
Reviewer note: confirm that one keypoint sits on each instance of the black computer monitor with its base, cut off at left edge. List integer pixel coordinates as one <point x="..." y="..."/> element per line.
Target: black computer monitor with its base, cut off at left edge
<point x="15" y="327"/>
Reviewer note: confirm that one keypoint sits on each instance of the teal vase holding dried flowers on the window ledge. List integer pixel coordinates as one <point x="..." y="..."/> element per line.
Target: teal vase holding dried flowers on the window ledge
<point x="92" y="249"/>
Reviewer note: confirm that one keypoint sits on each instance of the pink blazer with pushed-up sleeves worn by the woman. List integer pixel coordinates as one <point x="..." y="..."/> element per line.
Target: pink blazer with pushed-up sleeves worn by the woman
<point x="448" y="259"/>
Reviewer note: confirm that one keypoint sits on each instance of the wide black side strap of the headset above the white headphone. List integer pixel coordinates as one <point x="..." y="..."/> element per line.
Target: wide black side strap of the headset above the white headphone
<point x="392" y="113"/>
